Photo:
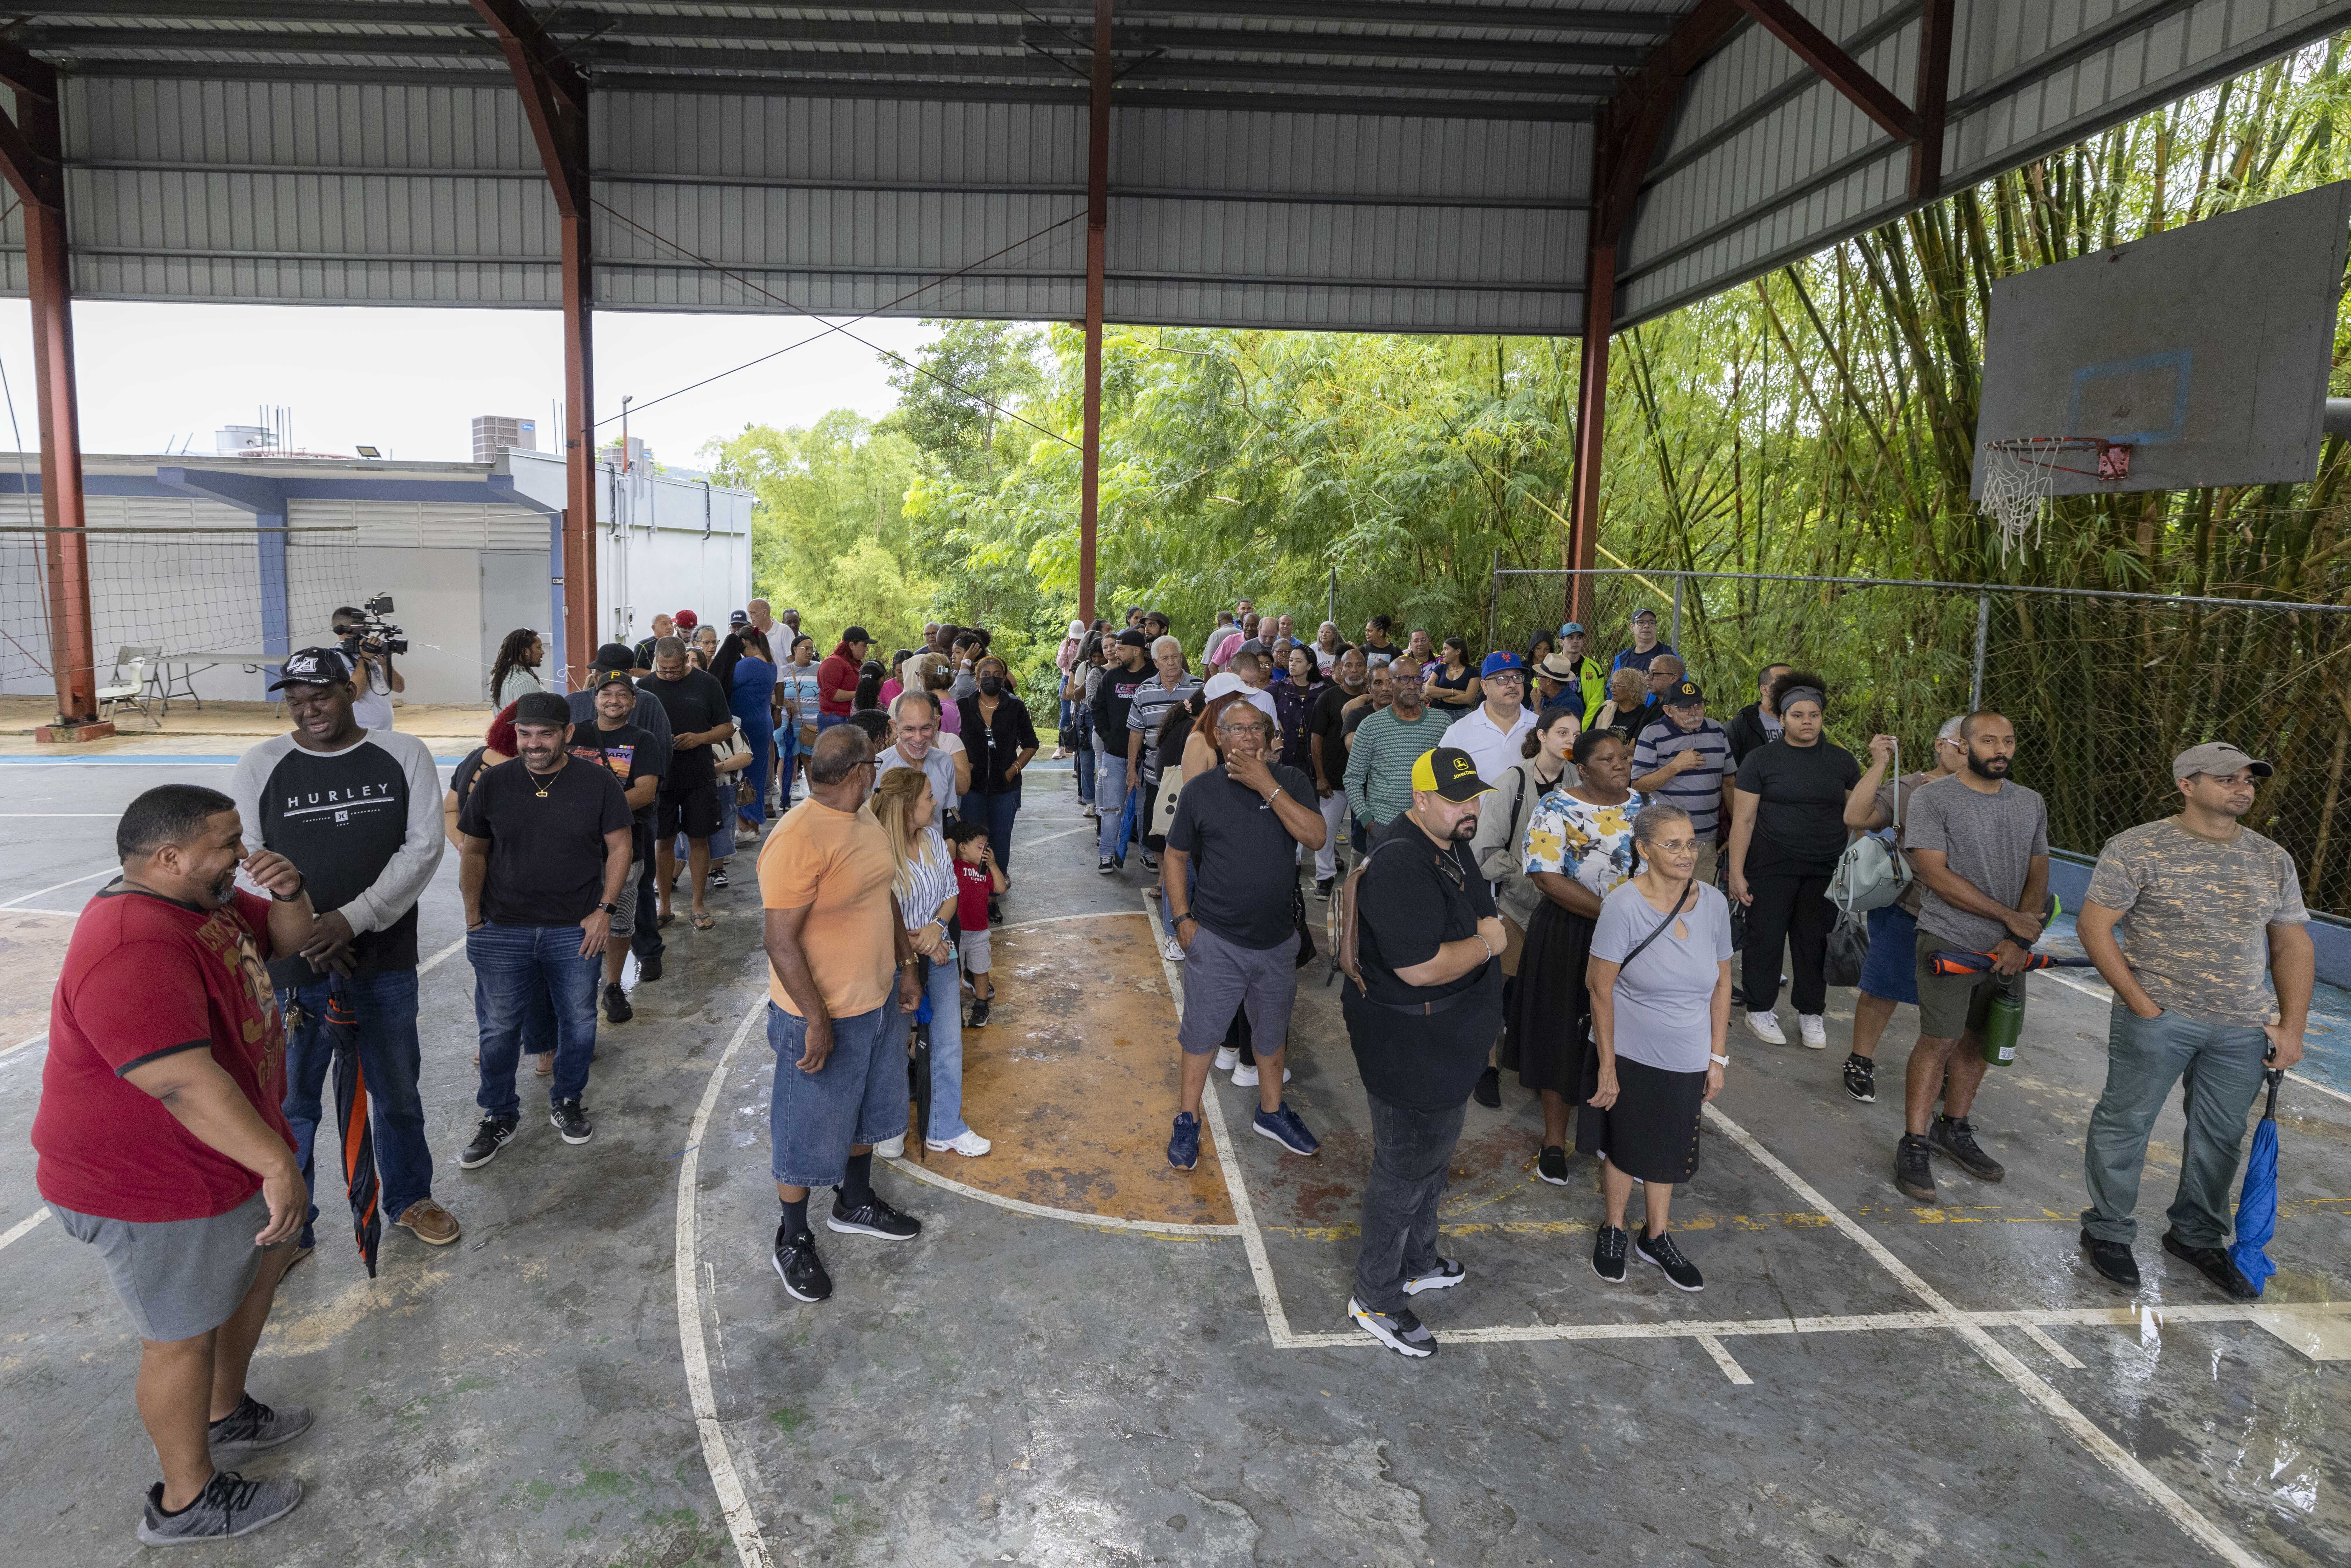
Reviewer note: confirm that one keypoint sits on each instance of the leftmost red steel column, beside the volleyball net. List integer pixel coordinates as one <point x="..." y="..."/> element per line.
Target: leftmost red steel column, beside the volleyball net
<point x="32" y="156"/>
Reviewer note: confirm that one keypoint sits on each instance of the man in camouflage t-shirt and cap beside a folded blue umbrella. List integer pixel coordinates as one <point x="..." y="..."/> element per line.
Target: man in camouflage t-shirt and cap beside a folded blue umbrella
<point x="2213" y="918"/>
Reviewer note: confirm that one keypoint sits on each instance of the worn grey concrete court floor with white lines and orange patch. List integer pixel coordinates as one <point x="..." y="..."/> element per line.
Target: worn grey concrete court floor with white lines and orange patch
<point x="1863" y="1381"/>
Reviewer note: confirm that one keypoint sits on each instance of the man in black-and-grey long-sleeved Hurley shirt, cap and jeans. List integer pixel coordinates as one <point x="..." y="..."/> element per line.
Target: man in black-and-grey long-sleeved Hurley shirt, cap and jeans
<point x="359" y="815"/>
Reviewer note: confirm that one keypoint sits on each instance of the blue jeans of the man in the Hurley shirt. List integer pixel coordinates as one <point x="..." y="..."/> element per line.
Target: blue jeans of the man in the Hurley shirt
<point x="389" y="1059"/>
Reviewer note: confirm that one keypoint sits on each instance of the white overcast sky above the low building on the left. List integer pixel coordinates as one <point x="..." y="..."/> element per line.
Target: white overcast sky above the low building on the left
<point x="410" y="382"/>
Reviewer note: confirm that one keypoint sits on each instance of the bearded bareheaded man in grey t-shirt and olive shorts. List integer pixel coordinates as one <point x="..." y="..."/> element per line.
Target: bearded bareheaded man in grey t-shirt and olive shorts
<point x="1981" y="847"/>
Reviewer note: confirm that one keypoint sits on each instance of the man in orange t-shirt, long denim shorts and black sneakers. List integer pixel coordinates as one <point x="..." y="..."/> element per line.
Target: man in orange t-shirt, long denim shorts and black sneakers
<point x="838" y="958"/>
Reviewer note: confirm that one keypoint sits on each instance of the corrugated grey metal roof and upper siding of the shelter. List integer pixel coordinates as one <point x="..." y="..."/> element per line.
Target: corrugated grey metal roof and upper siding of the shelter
<point x="1412" y="166"/>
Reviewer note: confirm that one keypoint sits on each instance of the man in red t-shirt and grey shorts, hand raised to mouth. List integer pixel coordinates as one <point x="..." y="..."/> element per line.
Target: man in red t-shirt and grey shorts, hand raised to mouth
<point x="161" y="1139"/>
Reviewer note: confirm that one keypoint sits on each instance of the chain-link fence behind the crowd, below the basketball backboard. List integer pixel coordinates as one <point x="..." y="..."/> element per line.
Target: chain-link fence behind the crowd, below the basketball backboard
<point x="2103" y="688"/>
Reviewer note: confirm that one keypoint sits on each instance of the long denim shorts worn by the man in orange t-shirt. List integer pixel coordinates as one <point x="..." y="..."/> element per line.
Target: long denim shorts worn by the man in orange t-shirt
<point x="857" y="1097"/>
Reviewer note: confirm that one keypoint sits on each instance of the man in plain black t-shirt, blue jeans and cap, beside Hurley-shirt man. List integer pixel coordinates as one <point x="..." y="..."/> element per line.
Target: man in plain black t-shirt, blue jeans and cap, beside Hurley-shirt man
<point x="547" y="847"/>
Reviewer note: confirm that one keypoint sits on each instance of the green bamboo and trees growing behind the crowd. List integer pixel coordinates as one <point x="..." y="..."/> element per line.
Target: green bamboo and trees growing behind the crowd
<point x="1816" y="422"/>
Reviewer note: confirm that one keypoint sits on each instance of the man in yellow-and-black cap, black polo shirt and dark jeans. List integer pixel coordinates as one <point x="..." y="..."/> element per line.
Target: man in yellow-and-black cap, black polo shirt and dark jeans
<point x="1421" y="1012"/>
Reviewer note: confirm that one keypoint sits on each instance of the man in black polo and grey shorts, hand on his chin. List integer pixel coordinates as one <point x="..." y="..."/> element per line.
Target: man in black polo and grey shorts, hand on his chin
<point x="1228" y="880"/>
